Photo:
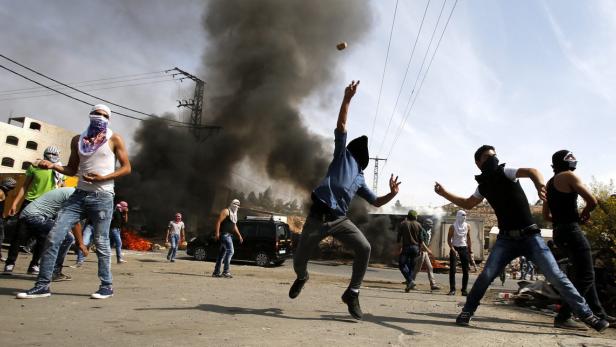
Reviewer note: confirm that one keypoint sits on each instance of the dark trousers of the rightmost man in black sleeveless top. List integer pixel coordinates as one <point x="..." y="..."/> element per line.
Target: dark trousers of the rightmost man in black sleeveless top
<point x="569" y="237"/>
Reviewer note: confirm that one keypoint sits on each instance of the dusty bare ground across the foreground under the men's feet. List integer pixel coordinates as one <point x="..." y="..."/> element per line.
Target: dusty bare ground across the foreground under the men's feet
<point x="163" y="304"/>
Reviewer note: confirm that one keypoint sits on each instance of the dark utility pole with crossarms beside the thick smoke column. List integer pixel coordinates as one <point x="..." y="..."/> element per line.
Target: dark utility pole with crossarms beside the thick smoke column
<point x="195" y="105"/>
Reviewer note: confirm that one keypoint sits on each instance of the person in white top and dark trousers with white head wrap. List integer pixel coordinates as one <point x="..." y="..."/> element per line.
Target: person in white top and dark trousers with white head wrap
<point x="459" y="241"/>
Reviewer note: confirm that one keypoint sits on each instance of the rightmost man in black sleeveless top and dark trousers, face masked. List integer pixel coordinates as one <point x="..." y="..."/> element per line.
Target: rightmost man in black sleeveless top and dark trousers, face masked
<point x="562" y="210"/>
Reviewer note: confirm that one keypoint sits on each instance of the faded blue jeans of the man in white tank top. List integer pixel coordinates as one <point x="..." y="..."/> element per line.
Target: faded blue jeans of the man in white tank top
<point x="98" y="207"/>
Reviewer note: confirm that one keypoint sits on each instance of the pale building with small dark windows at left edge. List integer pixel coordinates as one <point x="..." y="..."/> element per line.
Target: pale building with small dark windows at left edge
<point x="23" y="140"/>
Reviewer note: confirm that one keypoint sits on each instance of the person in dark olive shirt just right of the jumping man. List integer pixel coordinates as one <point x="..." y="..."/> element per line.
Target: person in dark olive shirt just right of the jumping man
<point x="410" y="233"/>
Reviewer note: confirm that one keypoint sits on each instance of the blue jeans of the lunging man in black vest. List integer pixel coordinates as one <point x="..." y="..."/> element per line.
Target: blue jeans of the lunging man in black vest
<point x="534" y="248"/>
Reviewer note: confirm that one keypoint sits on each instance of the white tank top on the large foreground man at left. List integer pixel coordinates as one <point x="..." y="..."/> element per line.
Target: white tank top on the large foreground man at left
<point x="101" y="162"/>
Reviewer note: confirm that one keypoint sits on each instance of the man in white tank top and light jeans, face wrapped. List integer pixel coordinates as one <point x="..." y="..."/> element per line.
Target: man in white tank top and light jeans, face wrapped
<point x="93" y="158"/>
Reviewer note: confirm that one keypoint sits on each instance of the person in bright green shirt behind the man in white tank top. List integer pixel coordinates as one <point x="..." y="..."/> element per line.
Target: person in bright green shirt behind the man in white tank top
<point x="38" y="182"/>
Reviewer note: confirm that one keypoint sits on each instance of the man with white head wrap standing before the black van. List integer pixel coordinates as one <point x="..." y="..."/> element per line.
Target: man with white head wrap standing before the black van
<point x="225" y="226"/>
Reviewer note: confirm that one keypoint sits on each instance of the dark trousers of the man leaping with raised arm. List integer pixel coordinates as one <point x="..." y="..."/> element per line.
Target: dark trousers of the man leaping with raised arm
<point x="341" y="228"/>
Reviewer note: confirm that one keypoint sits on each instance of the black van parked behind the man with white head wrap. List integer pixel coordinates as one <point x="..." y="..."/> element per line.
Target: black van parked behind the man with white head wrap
<point x="266" y="241"/>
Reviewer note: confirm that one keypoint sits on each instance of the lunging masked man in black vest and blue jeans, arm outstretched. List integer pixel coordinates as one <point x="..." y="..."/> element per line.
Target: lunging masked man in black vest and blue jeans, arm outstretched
<point x="518" y="234"/>
